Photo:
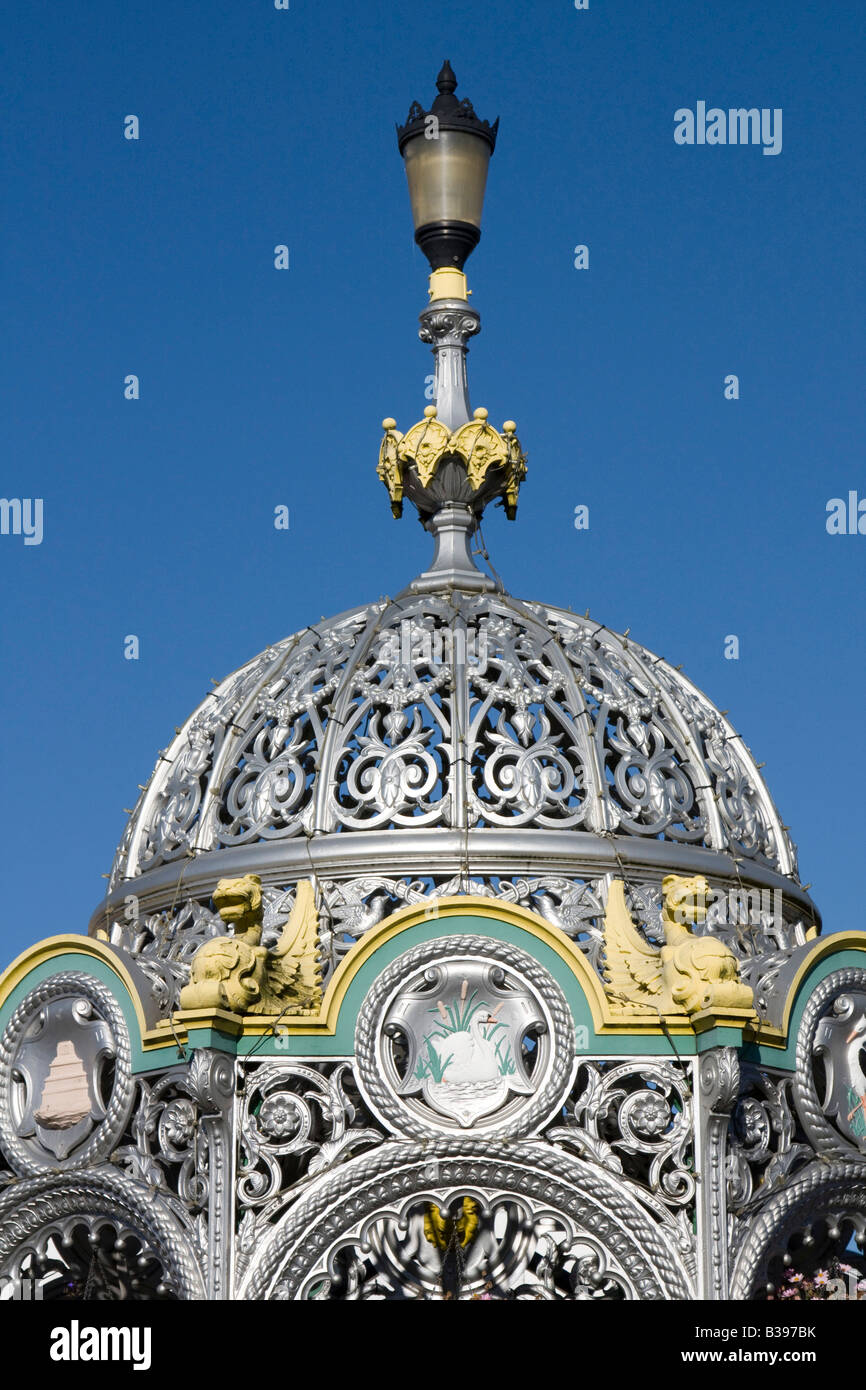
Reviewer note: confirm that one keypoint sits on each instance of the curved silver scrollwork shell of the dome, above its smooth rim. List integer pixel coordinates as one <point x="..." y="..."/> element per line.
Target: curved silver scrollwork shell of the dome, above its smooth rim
<point x="454" y="712"/>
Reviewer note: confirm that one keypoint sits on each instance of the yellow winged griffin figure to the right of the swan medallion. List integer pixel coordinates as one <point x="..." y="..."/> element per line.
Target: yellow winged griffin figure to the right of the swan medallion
<point x="687" y="975"/>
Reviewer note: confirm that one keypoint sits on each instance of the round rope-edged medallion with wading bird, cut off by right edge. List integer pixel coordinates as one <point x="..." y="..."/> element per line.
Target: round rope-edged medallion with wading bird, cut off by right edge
<point x="831" y="1082"/>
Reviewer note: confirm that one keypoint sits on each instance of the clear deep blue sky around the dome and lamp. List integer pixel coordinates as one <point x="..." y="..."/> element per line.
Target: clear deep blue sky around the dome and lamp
<point x="259" y="387"/>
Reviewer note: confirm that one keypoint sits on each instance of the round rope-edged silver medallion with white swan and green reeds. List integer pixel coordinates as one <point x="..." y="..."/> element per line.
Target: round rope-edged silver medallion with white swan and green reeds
<point x="465" y="1033"/>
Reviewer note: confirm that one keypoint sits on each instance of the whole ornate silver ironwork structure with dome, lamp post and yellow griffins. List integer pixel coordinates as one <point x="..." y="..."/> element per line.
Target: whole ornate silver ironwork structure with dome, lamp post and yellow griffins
<point x="468" y="1145"/>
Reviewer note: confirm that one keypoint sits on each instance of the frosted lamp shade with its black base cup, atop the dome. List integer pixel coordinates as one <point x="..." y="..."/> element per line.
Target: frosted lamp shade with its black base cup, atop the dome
<point x="447" y="181"/>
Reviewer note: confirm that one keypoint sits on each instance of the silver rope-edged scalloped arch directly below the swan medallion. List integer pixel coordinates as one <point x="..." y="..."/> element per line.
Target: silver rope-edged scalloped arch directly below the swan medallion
<point x="564" y="1227"/>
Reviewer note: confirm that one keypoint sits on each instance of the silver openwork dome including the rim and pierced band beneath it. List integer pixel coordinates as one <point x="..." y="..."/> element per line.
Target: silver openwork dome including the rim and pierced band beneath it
<point x="441" y="743"/>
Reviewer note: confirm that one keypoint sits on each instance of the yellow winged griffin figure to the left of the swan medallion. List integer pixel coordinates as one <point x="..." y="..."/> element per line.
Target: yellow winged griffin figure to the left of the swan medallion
<point x="238" y="974"/>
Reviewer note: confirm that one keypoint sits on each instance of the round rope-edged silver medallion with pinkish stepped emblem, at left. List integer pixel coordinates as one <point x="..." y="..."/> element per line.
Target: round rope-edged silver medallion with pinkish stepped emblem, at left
<point x="66" y="1085"/>
